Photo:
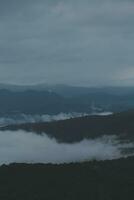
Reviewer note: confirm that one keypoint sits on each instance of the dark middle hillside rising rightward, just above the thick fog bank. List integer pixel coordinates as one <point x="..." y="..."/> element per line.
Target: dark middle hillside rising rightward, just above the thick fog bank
<point x="72" y="130"/>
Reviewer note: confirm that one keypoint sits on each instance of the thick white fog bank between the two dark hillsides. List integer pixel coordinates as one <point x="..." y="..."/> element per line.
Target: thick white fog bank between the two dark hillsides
<point x="26" y="147"/>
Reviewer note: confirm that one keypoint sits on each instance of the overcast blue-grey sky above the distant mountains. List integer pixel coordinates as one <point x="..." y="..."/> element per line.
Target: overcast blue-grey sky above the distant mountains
<point x="77" y="42"/>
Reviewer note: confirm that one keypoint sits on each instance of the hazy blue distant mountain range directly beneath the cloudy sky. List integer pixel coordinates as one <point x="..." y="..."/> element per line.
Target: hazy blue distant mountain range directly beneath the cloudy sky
<point x="53" y="100"/>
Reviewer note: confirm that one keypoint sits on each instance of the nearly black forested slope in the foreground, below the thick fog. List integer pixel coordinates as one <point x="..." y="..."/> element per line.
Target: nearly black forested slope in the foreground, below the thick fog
<point x="108" y="180"/>
